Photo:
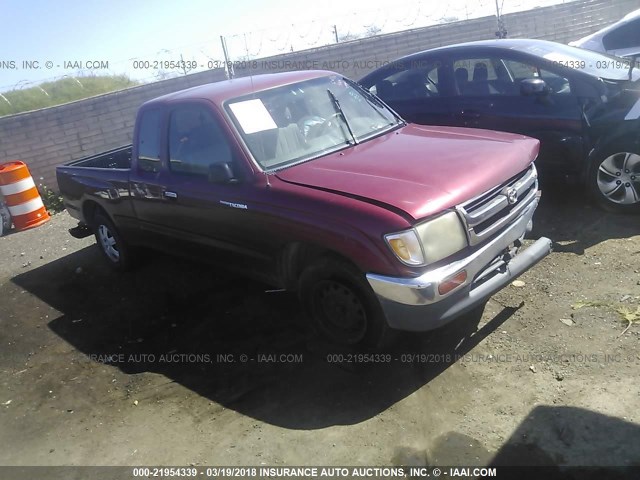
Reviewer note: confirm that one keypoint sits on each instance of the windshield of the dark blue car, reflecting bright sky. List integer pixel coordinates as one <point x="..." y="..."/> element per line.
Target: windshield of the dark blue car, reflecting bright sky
<point x="593" y="63"/>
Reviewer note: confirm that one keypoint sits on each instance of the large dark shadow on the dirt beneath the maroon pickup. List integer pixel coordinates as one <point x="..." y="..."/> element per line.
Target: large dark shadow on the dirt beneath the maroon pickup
<point x="233" y="341"/>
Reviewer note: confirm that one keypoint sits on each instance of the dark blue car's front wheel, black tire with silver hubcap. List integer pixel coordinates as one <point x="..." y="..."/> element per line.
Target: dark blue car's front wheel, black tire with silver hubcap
<point x="614" y="178"/>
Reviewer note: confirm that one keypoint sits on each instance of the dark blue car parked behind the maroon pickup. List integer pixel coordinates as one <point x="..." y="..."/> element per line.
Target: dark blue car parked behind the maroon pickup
<point x="583" y="106"/>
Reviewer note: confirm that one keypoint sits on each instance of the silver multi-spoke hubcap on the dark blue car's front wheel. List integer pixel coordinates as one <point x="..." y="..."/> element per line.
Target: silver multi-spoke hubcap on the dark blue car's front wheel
<point x="619" y="178"/>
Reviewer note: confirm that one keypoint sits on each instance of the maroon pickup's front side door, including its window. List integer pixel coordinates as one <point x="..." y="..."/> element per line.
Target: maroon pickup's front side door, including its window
<point x="200" y="196"/>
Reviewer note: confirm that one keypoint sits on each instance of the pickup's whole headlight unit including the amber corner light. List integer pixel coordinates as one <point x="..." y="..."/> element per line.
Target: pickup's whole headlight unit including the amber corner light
<point x="430" y="241"/>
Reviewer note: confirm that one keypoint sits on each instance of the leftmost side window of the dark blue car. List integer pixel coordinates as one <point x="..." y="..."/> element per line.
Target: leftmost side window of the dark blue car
<point x="409" y="81"/>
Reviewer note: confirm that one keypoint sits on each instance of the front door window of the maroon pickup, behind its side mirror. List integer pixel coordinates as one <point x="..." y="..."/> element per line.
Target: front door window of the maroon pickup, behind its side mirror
<point x="196" y="141"/>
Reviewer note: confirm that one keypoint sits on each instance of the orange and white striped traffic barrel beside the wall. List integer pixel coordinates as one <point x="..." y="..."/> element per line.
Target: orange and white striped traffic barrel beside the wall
<point x="21" y="196"/>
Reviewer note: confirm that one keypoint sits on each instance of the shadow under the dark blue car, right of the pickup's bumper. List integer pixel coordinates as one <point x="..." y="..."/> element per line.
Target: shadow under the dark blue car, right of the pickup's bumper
<point x="574" y="224"/>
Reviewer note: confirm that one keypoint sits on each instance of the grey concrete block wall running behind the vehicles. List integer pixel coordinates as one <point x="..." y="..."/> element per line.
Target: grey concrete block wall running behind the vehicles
<point x="52" y="136"/>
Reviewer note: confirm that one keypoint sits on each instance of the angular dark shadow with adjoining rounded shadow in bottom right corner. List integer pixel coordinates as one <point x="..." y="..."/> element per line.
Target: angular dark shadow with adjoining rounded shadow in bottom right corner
<point x="562" y="442"/>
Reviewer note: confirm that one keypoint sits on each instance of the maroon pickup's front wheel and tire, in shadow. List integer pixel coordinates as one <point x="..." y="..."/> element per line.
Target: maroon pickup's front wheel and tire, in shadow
<point x="341" y="305"/>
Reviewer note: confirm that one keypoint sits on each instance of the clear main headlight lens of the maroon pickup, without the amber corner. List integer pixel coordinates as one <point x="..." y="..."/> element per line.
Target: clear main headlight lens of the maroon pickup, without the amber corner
<point x="442" y="236"/>
